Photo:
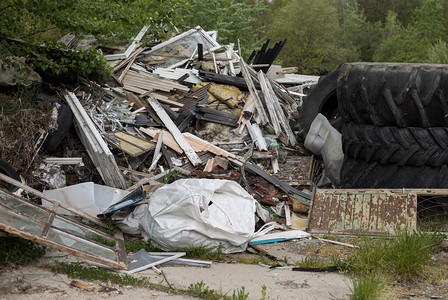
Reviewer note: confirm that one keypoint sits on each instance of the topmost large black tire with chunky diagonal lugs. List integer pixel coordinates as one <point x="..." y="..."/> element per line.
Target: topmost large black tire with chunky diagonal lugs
<point x="394" y="94"/>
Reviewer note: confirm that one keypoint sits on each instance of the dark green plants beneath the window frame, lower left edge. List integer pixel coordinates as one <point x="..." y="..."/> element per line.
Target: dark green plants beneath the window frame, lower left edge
<point x="17" y="251"/>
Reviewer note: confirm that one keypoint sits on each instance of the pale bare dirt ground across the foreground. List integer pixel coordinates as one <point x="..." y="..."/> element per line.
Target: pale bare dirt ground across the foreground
<point x="36" y="282"/>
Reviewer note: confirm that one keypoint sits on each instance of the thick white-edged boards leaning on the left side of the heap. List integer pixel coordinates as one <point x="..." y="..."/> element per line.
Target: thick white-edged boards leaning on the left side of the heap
<point x="95" y="145"/>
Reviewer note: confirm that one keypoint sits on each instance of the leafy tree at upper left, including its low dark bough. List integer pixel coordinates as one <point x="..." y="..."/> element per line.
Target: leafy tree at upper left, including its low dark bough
<point x="26" y="25"/>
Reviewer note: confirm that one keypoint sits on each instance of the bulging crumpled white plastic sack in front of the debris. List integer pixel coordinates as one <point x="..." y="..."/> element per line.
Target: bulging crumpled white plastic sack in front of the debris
<point x="200" y="212"/>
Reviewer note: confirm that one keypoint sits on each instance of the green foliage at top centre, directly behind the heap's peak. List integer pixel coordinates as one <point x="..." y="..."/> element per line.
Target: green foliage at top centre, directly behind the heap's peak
<point x="234" y="19"/>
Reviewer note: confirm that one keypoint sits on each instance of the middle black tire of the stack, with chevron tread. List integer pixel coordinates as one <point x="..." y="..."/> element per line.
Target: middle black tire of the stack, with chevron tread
<point x="411" y="146"/>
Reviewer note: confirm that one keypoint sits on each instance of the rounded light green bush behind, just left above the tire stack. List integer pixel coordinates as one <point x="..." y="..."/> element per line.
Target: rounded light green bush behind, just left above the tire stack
<point x="314" y="36"/>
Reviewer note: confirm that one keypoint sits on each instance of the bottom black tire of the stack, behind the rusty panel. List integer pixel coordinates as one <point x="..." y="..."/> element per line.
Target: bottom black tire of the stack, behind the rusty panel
<point x="360" y="174"/>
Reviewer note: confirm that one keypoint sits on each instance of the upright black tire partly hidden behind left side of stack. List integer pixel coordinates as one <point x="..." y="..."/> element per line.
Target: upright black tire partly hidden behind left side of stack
<point x="313" y="103"/>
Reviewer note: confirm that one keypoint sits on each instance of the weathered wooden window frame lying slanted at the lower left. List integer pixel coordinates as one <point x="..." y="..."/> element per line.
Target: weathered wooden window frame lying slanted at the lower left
<point x="120" y="261"/>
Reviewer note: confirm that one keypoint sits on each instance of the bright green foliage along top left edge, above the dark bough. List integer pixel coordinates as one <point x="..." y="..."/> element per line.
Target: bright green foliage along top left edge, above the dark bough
<point x="114" y="21"/>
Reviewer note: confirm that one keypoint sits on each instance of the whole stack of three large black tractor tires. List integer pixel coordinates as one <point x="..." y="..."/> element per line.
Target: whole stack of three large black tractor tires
<point x="395" y="129"/>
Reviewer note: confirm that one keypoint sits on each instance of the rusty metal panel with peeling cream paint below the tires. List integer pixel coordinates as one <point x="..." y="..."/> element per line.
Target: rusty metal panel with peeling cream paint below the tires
<point x="372" y="211"/>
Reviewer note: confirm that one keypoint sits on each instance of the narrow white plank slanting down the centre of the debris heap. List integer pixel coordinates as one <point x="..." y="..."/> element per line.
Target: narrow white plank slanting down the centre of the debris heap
<point x="169" y="124"/>
